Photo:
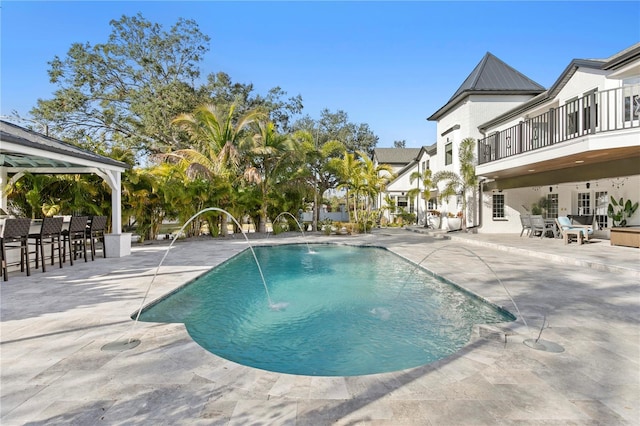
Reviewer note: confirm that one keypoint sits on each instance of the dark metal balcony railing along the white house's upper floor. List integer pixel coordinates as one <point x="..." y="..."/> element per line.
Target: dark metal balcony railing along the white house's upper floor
<point x="597" y="112"/>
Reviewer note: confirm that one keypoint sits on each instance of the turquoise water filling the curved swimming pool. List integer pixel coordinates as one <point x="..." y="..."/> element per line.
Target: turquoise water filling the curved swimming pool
<point x="349" y="311"/>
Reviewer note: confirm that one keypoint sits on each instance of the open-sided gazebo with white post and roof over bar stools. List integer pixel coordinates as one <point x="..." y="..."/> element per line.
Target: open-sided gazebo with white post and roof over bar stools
<point x="23" y="150"/>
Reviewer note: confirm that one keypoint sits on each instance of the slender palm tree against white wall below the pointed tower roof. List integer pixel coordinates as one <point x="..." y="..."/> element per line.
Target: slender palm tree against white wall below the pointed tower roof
<point x="463" y="183"/>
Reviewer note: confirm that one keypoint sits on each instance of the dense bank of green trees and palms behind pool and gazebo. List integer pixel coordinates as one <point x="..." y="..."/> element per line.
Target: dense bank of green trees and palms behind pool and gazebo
<point x="140" y="97"/>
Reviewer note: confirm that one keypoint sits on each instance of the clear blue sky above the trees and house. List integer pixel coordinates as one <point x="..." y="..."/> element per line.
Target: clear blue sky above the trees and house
<point x="387" y="64"/>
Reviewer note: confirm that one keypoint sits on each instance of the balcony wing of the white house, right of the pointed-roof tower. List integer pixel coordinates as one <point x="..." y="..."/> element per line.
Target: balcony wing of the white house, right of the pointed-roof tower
<point x="575" y="145"/>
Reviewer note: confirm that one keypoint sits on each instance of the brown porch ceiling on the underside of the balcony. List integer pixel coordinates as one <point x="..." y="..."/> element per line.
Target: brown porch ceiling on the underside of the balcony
<point x="588" y="165"/>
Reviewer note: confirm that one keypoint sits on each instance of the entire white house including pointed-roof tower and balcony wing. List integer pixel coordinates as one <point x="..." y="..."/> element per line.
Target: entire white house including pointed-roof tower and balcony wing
<point x="575" y="144"/>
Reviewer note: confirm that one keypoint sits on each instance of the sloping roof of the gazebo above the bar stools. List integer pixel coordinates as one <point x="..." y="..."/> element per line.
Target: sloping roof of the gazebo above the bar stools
<point x="21" y="147"/>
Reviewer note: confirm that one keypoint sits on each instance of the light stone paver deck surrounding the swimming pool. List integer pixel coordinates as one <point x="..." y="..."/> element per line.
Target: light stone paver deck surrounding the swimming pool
<point x="54" y="325"/>
